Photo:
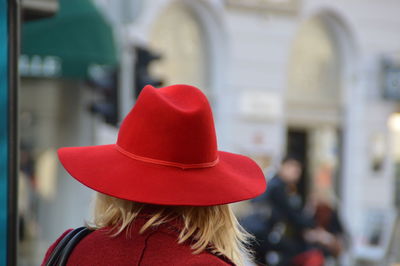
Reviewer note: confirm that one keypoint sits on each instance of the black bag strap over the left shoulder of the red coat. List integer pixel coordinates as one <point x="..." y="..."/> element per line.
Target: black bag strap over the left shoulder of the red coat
<point x="60" y="249"/>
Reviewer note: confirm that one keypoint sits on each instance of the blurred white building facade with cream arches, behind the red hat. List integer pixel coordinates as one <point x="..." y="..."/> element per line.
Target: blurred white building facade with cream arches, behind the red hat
<point x="275" y="70"/>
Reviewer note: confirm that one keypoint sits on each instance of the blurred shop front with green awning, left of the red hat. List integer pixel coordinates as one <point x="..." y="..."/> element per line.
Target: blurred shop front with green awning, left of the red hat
<point x="66" y="63"/>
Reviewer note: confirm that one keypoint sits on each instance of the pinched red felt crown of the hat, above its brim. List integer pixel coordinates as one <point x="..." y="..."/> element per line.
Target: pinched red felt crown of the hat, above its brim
<point x="171" y="124"/>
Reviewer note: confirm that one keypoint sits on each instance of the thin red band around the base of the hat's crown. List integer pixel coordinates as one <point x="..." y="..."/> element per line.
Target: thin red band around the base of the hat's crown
<point x="166" y="163"/>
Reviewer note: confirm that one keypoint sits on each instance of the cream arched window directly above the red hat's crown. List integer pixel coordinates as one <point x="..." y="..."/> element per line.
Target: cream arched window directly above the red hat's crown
<point x="179" y="37"/>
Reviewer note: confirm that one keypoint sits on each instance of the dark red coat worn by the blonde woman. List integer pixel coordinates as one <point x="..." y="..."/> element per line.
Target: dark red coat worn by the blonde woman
<point x="153" y="247"/>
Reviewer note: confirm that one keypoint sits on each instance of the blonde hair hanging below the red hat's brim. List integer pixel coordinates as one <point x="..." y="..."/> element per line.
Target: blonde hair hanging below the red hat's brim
<point x="214" y="228"/>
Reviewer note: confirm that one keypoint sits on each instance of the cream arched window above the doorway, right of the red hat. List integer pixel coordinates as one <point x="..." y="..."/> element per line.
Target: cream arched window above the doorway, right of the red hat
<point x="314" y="78"/>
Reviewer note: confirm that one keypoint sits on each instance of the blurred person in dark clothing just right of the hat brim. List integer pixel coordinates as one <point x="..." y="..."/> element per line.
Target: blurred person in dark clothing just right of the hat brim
<point x="283" y="223"/>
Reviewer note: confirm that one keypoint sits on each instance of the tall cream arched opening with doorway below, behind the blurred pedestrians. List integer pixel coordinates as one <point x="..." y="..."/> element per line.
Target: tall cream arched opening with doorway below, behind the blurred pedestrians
<point x="314" y="112"/>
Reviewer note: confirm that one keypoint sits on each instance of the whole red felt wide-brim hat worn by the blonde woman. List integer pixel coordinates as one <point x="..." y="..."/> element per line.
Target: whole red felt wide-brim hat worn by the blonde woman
<point x="166" y="154"/>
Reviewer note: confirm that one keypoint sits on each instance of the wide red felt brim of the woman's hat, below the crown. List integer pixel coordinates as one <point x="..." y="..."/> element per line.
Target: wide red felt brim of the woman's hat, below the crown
<point x="106" y="170"/>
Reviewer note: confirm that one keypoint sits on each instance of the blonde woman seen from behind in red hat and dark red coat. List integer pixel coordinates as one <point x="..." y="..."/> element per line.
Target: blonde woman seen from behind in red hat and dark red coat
<point x="163" y="189"/>
